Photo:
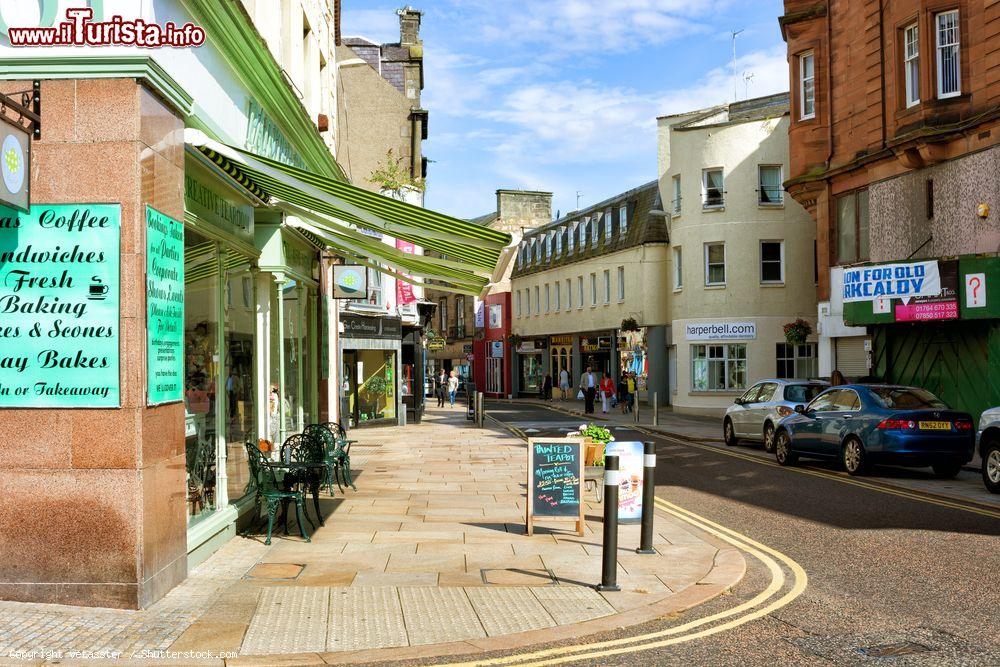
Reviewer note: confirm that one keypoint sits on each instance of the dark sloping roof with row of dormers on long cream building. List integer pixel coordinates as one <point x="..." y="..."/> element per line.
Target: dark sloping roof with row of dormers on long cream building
<point x="644" y="227"/>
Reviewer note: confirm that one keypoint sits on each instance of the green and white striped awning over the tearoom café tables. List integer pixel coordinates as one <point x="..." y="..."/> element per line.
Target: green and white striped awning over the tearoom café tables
<point x="335" y="211"/>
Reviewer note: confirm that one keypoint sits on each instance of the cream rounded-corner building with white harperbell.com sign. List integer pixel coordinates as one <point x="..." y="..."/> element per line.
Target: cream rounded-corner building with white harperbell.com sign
<point x="742" y="253"/>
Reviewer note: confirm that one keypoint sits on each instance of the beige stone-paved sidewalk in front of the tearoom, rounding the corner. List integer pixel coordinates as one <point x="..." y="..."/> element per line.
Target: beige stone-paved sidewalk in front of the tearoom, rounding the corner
<point x="428" y="557"/>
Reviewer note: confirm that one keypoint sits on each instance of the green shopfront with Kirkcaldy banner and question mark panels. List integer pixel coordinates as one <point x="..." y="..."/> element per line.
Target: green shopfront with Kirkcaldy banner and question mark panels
<point x="948" y="341"/>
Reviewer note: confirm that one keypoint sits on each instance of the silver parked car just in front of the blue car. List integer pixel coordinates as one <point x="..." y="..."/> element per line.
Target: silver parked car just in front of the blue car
<point x="754" y="414"/>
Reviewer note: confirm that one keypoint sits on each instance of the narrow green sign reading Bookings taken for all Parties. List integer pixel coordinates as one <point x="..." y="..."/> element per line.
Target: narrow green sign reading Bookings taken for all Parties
<point x="164" y="308"/>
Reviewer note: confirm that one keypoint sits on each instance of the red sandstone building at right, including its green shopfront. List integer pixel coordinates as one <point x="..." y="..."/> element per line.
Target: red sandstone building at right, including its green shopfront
<point x="900" y="171"/>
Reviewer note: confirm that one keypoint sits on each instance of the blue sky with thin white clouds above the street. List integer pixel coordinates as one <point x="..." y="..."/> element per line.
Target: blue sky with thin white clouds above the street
<point x="563" y="95"/>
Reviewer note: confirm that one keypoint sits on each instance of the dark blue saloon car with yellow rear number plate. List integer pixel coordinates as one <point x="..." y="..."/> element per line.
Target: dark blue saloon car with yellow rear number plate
<point x="862" y="424"/>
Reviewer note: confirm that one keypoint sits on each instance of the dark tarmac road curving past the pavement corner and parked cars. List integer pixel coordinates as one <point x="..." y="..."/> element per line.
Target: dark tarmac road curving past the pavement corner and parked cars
<point x="886" y="573"/>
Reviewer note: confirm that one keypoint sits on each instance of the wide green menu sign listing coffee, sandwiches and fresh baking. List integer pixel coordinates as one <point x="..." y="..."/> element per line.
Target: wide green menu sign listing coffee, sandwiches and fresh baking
<point x="59" y="306"/>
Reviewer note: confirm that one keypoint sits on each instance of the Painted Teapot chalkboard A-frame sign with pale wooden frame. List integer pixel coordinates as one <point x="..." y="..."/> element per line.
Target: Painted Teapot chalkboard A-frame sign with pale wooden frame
<point x="555" y="481"/>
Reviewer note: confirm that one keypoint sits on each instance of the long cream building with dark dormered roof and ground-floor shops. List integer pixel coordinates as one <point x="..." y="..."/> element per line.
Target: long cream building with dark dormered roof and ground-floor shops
<point x="579" y="287"/>
